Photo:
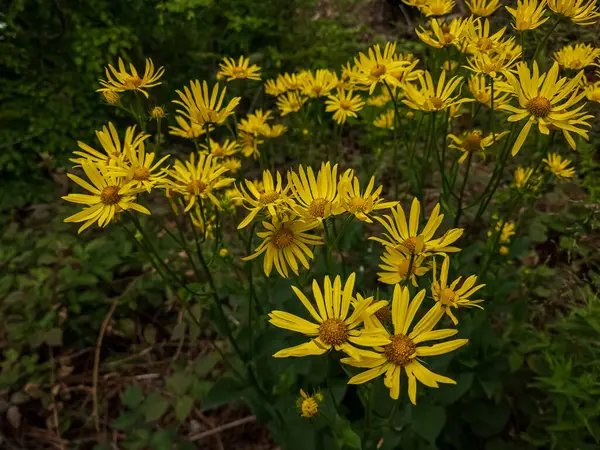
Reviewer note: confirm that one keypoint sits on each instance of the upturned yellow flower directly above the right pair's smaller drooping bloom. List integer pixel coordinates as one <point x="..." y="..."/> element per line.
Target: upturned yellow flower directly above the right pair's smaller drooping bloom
<point x="406" y="237"/>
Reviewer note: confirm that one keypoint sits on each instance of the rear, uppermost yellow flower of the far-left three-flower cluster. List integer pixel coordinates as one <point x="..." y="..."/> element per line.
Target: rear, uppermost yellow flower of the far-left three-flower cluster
<point x="114" y="152"/>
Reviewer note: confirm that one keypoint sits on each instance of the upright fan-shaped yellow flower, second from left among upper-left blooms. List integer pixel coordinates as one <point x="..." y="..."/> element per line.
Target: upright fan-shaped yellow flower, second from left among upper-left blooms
<point x="202" y="107"/>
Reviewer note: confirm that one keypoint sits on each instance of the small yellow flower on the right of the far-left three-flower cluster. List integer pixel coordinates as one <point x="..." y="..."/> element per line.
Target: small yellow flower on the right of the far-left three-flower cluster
<point x="139" y="170"/>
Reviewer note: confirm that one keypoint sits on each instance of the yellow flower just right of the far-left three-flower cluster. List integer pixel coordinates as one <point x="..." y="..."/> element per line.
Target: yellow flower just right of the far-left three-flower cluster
<point x="198" y="179"/>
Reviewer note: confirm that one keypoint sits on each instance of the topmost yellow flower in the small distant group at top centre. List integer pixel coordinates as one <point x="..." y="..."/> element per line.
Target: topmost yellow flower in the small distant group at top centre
<point x="377" y="67"/>
